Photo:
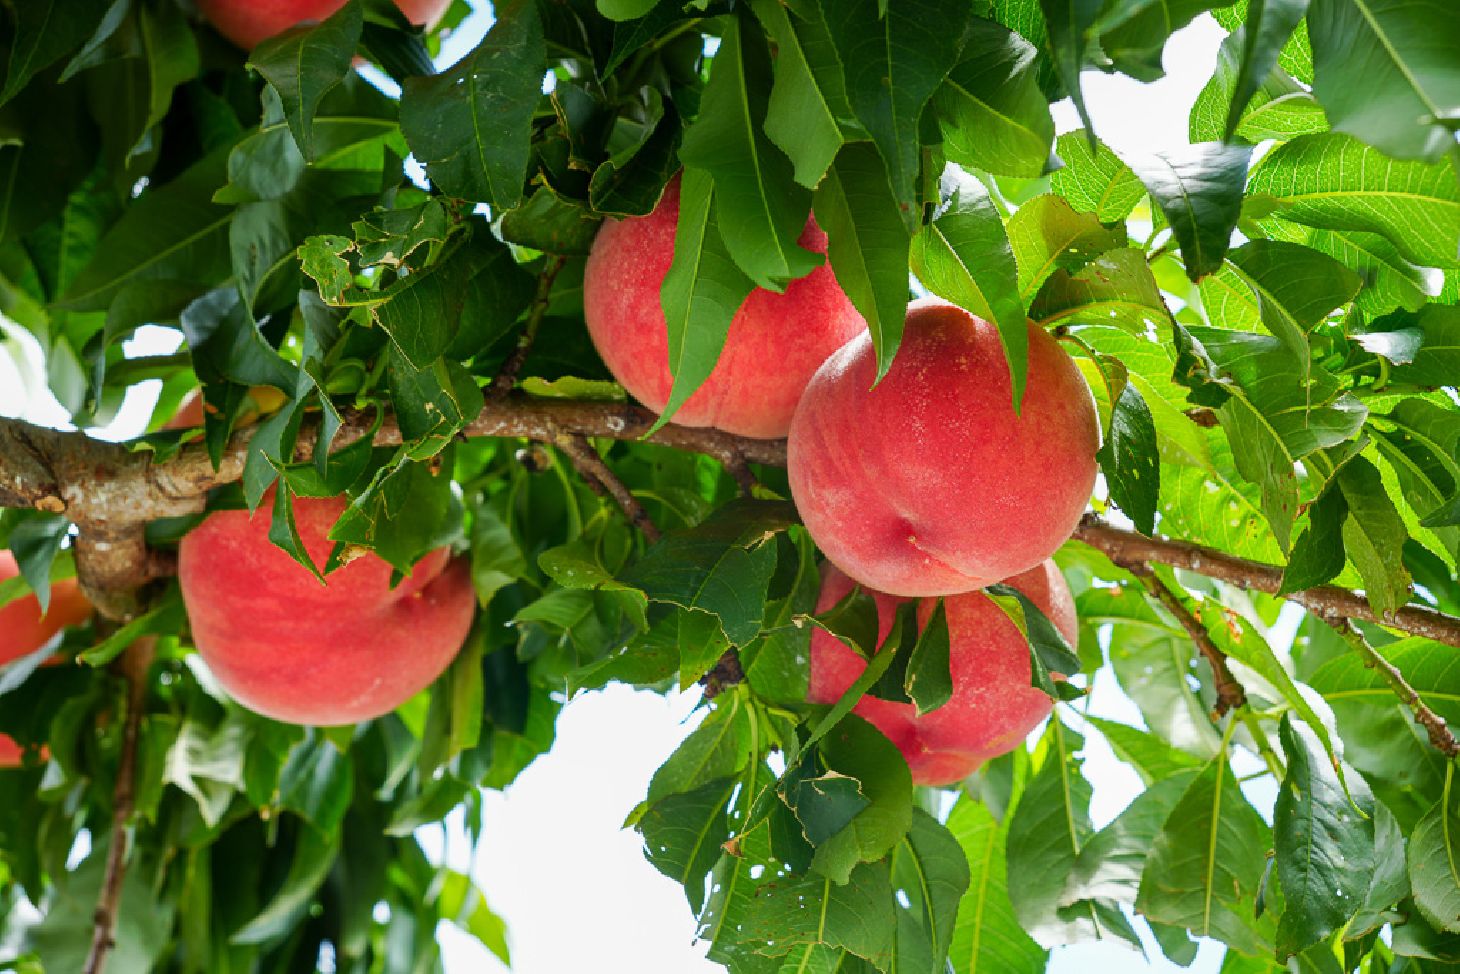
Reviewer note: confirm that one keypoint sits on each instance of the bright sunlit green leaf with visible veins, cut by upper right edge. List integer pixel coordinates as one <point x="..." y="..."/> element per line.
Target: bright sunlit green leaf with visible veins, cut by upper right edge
<point x="1335" y="182"/>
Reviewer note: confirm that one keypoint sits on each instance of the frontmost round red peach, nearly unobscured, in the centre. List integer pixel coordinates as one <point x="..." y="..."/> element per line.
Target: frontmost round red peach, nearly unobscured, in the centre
<point x="931" y="484"/>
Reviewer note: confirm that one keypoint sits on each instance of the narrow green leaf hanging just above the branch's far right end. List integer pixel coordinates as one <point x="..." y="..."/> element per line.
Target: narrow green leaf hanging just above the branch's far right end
<point x="1375" y="537"/>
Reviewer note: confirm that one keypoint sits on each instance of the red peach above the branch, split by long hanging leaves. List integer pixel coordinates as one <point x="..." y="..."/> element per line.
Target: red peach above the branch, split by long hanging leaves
<point x="775" y="345"/>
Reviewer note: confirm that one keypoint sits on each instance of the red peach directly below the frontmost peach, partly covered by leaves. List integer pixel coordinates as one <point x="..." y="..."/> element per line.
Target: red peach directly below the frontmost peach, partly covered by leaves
<point x="994" y="706"/>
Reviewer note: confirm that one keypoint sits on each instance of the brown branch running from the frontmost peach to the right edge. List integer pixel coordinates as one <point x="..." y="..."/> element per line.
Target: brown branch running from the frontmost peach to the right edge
<point x="1129" y="548"/>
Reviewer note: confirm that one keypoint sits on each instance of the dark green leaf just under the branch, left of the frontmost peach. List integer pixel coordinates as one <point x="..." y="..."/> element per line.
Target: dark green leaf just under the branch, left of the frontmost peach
<point x="723" y="566"/>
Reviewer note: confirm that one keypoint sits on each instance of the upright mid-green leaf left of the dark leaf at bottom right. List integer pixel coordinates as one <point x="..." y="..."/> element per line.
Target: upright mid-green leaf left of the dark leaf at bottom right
<point x="1208" y="861"/>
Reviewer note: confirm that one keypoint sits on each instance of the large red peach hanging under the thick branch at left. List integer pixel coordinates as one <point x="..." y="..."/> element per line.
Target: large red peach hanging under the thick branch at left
<point x="291" y="649"/>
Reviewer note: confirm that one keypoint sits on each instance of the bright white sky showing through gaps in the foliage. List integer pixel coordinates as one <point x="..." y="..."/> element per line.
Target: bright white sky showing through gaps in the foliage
<point x="575" y="889"/>
